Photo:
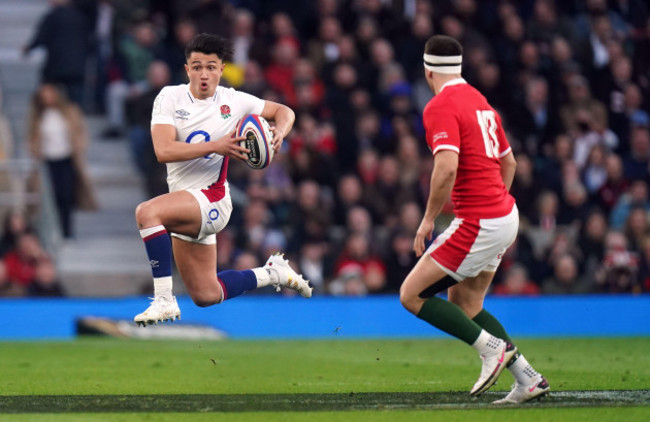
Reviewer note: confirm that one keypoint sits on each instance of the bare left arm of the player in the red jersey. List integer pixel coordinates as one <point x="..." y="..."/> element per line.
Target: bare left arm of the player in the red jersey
<point x="442" y="182"/>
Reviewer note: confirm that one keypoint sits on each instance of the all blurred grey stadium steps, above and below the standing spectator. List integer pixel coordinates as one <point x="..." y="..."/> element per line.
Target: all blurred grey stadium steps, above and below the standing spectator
<point x="107" y="257"/>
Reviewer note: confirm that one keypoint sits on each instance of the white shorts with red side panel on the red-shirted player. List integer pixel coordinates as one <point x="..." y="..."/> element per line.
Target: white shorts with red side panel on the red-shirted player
<point x="470" y="246"/>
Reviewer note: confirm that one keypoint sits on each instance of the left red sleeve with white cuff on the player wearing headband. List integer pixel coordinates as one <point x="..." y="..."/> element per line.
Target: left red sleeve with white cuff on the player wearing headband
<point x="442" y="130"/>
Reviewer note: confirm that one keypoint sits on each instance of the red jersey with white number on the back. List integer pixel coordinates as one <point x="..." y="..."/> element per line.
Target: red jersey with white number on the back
<point x="460" y="119"/>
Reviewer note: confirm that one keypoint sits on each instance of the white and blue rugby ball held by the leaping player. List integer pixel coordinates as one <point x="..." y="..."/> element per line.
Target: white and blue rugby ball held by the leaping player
<point x="258" y="136"/>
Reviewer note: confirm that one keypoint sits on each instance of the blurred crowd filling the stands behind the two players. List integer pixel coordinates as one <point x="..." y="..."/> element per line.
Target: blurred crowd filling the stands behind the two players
<point x="570" y="78"/>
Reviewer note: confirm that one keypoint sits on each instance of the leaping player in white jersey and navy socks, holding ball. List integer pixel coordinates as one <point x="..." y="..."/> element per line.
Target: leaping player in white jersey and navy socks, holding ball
<point x="193" y="130"/>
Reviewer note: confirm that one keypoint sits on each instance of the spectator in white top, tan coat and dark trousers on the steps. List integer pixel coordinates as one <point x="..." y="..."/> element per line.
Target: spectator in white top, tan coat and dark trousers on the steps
<point x="58" y="138"/>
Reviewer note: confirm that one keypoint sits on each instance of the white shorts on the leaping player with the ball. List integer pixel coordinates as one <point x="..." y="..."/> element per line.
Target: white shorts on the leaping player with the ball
<point x="214" y="217"/>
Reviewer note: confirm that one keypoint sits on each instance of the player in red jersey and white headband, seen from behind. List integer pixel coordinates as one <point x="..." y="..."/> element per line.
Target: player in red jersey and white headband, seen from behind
<point x="473" y="163"/>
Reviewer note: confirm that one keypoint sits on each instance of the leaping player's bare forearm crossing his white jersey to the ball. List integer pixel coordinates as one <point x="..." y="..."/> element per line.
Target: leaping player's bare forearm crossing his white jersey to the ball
<point x="168" y="150"/>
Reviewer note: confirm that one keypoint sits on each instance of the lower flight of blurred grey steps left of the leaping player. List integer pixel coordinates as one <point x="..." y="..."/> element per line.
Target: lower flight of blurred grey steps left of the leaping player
<point x="107" y="257"/>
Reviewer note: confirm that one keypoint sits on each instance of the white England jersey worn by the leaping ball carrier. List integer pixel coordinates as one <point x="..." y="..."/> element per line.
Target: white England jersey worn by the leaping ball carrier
<point x="201" y="121"/>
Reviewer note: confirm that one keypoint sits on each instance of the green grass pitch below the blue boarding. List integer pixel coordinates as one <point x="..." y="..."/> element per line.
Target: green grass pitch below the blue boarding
<point x="319" y="380"/>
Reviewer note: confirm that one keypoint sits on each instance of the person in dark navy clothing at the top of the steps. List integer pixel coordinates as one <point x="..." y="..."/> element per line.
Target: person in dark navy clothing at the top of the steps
<point x="64" y="34"/>
